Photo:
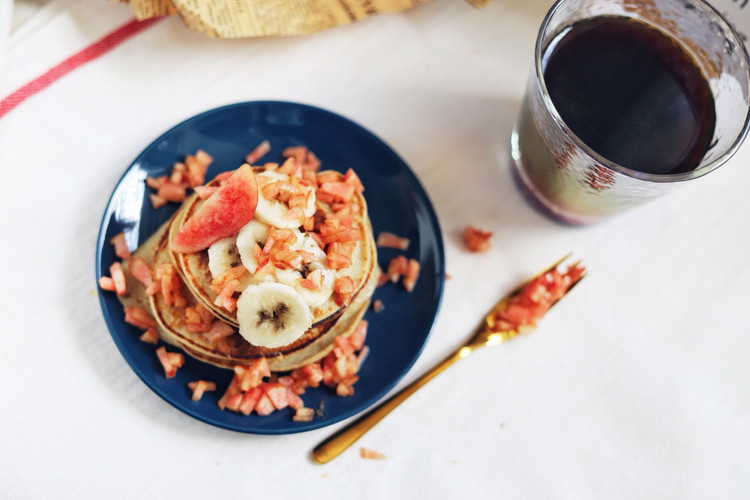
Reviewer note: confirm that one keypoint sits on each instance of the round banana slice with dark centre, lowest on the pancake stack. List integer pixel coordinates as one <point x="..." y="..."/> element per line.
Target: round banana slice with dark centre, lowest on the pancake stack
<point x="272" y="315"/>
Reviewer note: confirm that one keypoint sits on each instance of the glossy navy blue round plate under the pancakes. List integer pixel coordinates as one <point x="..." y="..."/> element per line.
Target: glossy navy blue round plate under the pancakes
<point x="397" y="203"/>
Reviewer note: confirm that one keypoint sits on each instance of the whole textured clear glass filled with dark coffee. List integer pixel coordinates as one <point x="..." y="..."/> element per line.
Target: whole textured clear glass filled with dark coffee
<point x="627" y="99"/>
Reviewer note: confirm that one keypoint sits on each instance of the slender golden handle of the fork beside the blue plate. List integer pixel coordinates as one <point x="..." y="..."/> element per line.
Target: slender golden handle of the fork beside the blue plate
<point x="345" y="437"/>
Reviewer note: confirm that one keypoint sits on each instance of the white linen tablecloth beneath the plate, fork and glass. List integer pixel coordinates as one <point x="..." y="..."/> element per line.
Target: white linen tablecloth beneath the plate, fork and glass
<point x="636" y="386"/>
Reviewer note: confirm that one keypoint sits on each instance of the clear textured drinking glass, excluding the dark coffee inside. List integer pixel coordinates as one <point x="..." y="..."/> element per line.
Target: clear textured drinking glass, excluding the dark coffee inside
<point x="564" y="177"/>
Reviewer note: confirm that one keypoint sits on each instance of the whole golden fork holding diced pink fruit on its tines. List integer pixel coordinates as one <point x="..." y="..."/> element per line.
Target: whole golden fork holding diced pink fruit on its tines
<point x="490" y="333"/>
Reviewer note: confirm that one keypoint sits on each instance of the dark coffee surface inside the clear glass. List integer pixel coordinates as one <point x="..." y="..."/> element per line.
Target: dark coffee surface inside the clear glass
<point x="632" y="94"/>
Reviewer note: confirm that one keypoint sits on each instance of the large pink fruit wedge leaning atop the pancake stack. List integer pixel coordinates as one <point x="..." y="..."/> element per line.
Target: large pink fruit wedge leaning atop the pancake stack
<point x="221" y="215"/>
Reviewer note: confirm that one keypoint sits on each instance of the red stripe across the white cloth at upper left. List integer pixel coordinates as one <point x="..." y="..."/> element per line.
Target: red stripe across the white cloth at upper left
<point x="96" y="49"/>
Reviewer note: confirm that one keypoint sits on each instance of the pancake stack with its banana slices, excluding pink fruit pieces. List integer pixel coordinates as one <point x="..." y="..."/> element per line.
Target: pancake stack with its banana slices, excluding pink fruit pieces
<point x="262" y="306"/>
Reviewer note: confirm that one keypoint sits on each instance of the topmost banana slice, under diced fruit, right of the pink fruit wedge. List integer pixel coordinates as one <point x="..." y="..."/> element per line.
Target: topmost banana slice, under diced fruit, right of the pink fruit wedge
<point x="278" y="213"/>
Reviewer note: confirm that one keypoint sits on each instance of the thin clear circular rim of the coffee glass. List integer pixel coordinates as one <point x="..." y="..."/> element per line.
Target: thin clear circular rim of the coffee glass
<point x="661" y="178"/>
